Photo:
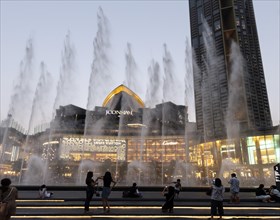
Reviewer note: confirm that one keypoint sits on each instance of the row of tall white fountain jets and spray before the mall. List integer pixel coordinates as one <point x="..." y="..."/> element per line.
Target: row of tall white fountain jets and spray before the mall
<point x="159" y="149"/>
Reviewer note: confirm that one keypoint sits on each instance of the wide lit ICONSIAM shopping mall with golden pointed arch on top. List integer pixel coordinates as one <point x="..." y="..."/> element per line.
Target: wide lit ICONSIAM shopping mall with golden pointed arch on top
<point x="150" y="145"/>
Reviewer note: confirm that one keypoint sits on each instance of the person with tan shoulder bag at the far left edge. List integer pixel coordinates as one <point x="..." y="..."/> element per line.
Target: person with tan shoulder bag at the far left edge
<point x="8" y="195"/>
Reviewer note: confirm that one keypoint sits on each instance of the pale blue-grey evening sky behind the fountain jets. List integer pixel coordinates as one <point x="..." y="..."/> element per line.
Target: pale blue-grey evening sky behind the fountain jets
<point x="145" y="25"/>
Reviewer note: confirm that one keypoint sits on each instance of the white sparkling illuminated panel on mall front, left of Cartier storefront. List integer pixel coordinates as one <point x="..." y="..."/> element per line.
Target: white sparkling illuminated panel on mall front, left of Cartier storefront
<point x="72" y="144"/>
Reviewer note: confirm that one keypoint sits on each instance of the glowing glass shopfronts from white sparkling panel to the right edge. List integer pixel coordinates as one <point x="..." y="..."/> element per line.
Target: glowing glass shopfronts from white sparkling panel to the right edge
<point x="162" y="155"/>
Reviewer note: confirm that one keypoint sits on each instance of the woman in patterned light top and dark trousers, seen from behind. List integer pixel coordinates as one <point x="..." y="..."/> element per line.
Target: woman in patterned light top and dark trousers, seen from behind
<point x="217" y="197"/>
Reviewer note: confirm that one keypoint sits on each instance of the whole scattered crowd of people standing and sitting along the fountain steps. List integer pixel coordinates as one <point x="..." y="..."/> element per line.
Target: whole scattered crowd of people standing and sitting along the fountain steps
<point x="9" y="194"/>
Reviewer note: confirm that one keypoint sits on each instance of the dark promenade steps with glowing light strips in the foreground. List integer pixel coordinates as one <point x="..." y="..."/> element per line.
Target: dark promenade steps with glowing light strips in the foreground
<point x="190" y="205"/>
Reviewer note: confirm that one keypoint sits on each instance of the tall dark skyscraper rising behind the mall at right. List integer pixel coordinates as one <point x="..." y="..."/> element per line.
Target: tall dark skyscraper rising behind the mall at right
<point x="229" y="82"/>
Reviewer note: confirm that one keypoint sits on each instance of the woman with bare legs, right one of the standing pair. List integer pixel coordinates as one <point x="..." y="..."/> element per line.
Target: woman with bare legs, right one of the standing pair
<point x="107" y="180"/>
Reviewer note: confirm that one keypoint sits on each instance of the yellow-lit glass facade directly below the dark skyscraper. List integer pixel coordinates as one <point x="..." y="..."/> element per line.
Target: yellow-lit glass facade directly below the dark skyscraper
<point x="252" y="158"/>
